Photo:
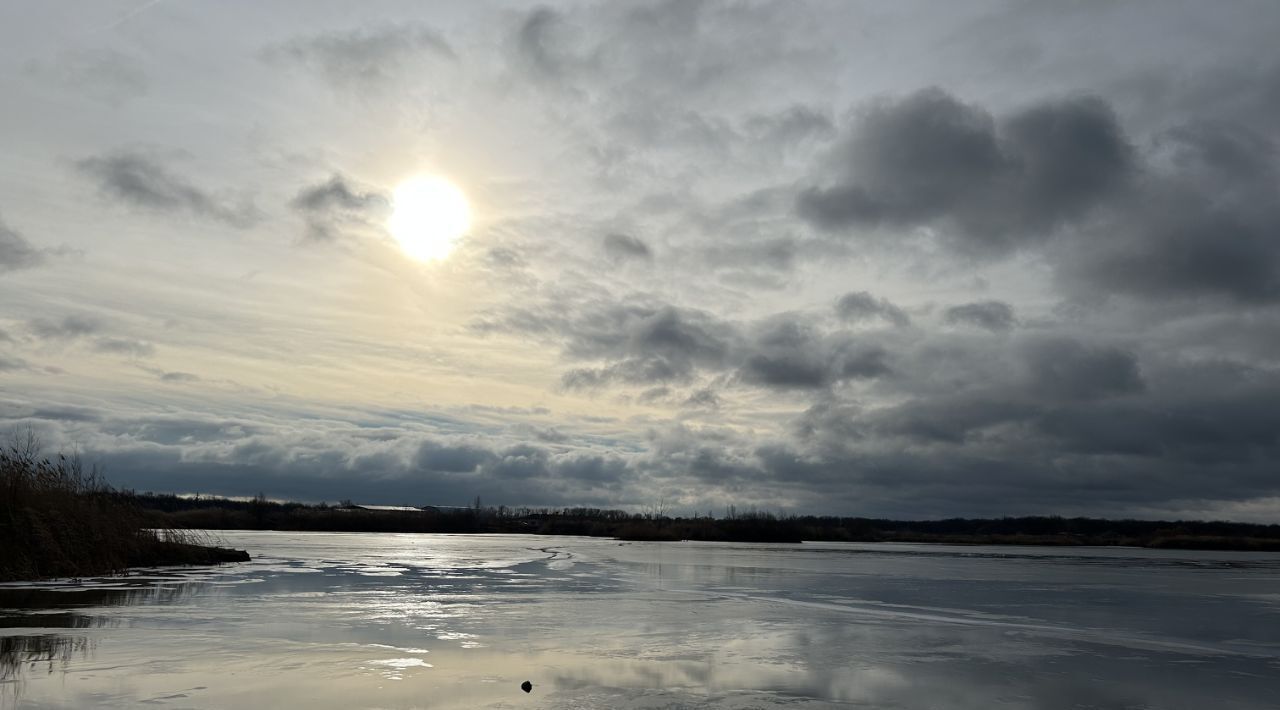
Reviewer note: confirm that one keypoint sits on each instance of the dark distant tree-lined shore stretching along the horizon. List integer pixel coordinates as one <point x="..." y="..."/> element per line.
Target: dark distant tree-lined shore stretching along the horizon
<point x="753" y="526"/>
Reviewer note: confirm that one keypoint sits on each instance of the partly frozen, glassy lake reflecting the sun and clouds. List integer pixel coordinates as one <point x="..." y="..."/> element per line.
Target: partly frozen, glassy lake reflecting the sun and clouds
<point x="323" y="621"/>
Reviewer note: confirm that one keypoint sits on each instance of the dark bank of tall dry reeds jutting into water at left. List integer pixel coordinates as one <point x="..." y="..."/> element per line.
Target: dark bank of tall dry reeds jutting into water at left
<point x="60" y="521"/>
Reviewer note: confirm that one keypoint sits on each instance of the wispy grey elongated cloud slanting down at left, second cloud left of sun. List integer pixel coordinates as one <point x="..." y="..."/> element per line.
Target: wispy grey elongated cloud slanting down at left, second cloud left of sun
<point x="140" y="181"/>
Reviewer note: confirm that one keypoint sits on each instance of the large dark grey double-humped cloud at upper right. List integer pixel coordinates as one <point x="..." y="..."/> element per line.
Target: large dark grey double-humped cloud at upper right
<point x="988" y="185"/>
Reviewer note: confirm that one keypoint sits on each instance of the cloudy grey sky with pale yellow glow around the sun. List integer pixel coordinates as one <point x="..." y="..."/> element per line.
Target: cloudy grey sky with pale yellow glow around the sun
<point x="904" y="259"/>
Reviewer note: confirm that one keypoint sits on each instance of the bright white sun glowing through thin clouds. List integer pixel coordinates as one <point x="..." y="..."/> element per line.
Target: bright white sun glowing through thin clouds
<point x="429" y="216"/>
